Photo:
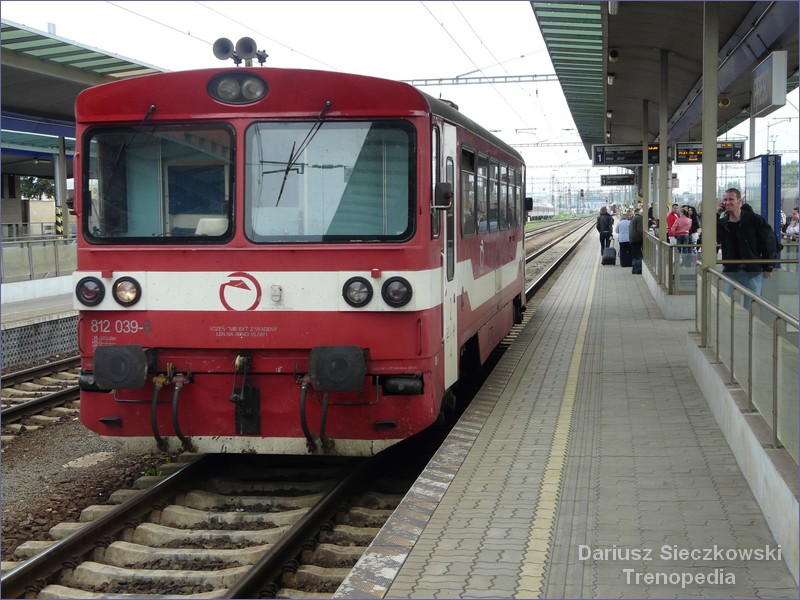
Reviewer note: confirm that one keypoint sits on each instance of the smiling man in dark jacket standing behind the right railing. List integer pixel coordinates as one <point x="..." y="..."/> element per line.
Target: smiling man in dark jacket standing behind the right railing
<point x="744" y="235"/>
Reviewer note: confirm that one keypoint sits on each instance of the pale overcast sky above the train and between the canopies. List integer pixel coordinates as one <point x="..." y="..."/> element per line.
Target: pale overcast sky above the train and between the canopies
<point x="401" y="40"/>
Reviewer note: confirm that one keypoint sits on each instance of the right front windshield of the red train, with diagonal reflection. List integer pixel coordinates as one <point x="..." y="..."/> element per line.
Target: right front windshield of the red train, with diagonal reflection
<point x="330" y="181"/>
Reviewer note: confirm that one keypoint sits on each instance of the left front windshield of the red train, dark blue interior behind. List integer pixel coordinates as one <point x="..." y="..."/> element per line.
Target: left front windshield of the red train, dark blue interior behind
<point x="159" y="184"/>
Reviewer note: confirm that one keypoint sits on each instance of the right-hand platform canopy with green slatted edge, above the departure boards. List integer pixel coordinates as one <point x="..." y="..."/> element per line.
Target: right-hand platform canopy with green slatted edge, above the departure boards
<point x="590" y="41"/>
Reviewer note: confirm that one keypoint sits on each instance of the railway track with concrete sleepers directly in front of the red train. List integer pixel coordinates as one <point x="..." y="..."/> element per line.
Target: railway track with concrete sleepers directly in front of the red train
<point x="222" y="526"/>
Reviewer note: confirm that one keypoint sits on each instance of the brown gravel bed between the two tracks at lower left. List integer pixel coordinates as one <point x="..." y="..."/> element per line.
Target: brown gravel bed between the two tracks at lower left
<point x="40" y="489"/>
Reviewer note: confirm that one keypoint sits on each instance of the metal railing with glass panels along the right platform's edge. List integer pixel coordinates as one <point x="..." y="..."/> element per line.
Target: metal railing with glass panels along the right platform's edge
<point x="728" y="314"/>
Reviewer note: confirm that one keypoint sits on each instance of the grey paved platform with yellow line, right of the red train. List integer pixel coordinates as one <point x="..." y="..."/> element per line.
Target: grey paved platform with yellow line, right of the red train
<point x="588" y="466"/>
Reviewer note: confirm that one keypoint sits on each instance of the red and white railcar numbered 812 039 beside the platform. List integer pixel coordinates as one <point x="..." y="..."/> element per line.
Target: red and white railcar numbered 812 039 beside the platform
<point x="282" y="261"/>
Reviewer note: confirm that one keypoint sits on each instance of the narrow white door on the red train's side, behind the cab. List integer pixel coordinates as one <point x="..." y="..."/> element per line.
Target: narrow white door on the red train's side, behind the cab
<point x="450" y="283"/>
